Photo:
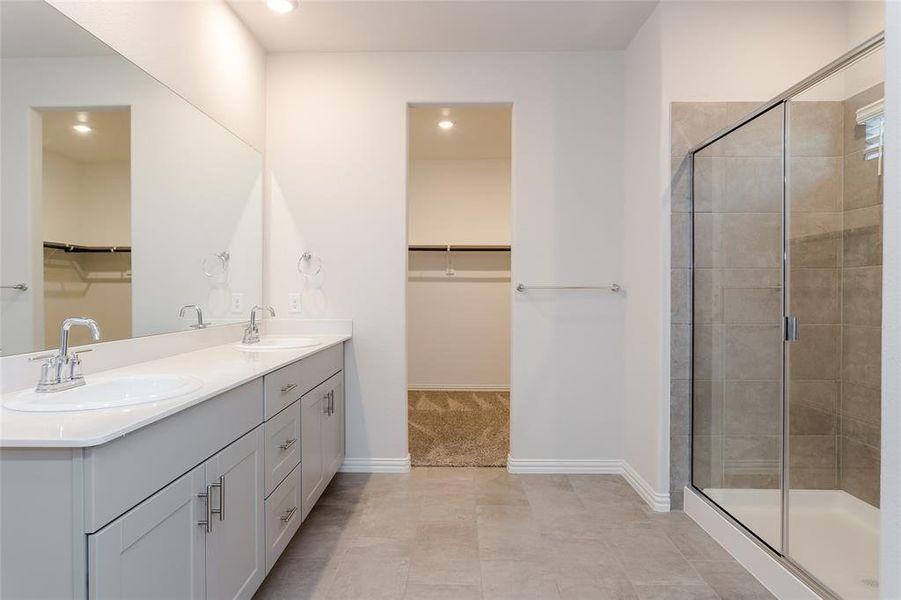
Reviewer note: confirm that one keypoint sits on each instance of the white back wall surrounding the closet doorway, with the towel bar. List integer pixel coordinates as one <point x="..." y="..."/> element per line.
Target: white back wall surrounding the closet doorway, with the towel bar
<point x="336" y="146"/>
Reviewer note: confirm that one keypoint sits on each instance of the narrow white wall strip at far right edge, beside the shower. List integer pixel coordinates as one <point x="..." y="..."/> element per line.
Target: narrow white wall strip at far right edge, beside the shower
<point x="890" y="506"/>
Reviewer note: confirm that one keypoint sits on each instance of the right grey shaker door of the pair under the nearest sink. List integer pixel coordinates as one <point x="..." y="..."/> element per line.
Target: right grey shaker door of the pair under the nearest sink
<point x="235" y="544"/>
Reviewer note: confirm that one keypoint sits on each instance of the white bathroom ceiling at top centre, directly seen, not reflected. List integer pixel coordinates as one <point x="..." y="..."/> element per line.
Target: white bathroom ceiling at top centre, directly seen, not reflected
<point x="446" y="25"/>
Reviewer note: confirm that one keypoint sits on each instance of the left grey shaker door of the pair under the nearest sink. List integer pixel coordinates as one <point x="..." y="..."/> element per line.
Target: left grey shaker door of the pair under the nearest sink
<point x="155" y="550"/>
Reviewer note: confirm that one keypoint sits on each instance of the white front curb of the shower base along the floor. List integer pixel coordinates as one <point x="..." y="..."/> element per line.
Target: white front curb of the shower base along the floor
<point x="774" y="576"/>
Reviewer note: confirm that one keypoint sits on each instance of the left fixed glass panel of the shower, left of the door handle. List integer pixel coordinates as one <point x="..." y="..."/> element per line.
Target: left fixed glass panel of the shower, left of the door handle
<point x="737" y="336"/>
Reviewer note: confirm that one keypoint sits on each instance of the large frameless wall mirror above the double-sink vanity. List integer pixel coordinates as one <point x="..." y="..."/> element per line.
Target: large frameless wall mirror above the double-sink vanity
<point x="121" y="201"/>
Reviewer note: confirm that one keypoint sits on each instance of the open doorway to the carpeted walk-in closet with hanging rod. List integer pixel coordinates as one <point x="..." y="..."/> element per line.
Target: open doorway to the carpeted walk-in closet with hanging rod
<point x="458" y="284"/>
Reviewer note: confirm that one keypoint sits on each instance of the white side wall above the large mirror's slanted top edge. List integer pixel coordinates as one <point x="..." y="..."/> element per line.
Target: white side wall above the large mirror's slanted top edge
<point x="199" y="48"/>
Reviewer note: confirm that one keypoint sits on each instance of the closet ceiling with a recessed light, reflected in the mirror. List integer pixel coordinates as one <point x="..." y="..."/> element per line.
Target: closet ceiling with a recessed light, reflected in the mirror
<point x="110" y="138"/>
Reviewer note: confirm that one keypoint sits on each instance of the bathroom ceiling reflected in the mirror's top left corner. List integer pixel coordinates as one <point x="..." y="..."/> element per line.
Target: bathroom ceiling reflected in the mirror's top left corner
<point x="30" y="29"/>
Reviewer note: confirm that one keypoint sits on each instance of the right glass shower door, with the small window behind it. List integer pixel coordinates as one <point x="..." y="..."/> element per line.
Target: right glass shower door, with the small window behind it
<point x="834" y="283"/>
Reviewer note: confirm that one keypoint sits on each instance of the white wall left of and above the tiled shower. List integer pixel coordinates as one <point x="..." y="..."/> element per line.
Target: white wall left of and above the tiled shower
<point x="697" y="51"/>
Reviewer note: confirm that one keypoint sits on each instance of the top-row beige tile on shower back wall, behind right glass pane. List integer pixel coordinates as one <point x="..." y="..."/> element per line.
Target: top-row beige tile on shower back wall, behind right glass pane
<point x="815" y="128"/>
